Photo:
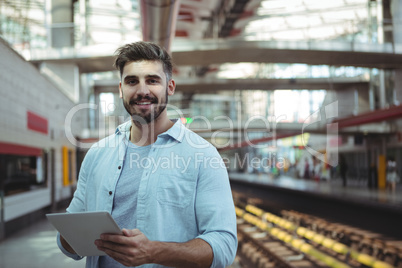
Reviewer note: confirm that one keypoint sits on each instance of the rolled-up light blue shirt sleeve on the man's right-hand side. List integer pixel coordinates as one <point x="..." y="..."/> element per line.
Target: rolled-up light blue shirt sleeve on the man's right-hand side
<point x="215" y="211"/>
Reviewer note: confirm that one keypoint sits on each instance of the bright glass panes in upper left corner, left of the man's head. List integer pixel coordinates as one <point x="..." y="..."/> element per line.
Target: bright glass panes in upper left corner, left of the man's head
<point x="27" y="24"/>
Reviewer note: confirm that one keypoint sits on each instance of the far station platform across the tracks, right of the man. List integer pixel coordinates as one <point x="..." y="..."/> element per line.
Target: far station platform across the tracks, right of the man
<point x="355" y="191"/>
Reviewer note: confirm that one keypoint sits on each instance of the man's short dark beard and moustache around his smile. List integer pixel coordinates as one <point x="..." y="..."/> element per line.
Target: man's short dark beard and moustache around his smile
<point x="142" y="117"/>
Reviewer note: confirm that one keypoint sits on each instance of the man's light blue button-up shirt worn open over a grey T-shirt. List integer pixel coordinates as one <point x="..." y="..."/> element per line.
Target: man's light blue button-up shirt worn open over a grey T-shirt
<point x="184" y="192"/>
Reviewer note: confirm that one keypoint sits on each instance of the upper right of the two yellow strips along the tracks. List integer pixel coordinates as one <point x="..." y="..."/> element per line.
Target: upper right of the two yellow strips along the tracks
<point x="319" y="239"/>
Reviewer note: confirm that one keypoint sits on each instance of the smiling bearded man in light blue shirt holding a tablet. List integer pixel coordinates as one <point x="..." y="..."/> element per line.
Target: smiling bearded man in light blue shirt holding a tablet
<point x="166" y="186"/>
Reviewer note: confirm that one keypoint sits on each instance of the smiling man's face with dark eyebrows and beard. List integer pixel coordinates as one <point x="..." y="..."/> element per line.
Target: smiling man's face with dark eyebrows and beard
<point x="145" y="91"/>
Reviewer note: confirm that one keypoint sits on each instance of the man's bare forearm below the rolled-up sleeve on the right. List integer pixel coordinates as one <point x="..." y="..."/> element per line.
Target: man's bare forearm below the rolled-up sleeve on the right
<point x="194" y="253"/>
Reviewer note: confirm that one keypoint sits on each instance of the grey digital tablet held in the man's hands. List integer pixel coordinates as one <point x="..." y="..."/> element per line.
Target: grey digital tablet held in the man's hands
<point x="81" y="229"/>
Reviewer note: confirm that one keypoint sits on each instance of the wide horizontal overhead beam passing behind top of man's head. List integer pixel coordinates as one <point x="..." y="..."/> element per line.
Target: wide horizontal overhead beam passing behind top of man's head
<point x="201" y="53"/>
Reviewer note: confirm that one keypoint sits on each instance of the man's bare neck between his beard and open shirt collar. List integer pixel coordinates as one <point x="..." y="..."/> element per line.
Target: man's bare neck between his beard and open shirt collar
<point x="147" y="134"/>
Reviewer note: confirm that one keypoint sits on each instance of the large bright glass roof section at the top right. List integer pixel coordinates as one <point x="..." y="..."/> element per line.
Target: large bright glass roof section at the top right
<point x="309" y="20"/>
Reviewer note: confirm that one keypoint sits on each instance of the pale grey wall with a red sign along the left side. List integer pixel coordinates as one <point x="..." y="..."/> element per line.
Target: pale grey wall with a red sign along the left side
<point x="23" y="89"/>
